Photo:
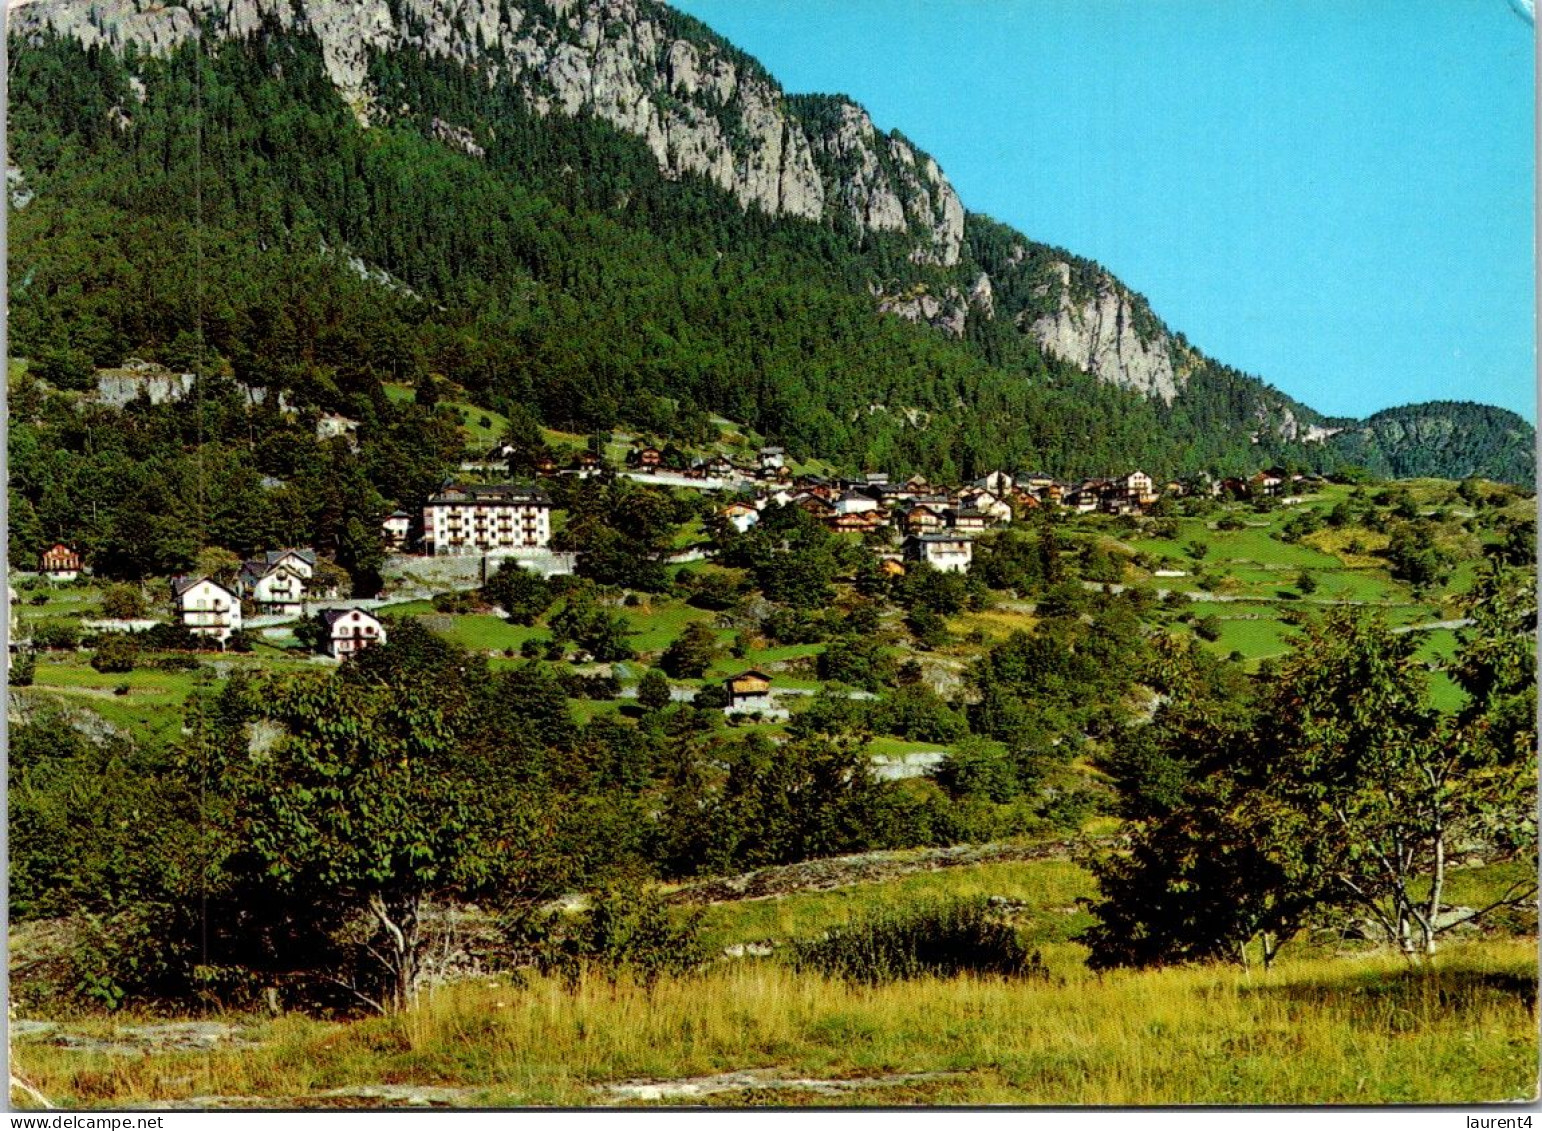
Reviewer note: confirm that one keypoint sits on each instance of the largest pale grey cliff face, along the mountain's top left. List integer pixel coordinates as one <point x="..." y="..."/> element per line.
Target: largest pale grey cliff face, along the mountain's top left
<point x="699" y="106"/>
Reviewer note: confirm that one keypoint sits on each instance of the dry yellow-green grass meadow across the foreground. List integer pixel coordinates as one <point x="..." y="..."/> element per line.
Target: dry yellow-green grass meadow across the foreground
<point x="1364" y="1031"/>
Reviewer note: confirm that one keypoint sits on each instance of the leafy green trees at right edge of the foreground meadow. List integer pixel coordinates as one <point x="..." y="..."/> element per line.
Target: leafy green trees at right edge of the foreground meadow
<point x="1350" y="792"/>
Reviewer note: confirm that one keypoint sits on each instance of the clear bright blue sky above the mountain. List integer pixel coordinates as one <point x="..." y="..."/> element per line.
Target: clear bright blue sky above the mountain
<point x="1333" y="195"/>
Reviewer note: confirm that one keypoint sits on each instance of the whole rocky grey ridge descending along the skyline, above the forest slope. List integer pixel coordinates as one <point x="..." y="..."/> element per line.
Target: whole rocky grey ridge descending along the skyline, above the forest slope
<point x="707" y="110"/>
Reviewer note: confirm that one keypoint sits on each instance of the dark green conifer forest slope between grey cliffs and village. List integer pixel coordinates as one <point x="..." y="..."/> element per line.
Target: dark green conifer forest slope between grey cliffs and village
<point x="561" y="272"/>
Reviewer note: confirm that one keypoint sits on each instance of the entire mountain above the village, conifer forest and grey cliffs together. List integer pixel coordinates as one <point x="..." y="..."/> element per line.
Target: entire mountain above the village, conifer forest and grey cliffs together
<point x="601" y="214"/>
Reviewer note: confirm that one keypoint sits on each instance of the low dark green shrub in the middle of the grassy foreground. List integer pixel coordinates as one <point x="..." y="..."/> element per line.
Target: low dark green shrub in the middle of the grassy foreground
<point x="932" y="940"/>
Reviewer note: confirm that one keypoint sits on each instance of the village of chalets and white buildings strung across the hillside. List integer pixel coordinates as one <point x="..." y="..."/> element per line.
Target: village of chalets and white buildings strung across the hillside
<point x="911" y="522"/>
